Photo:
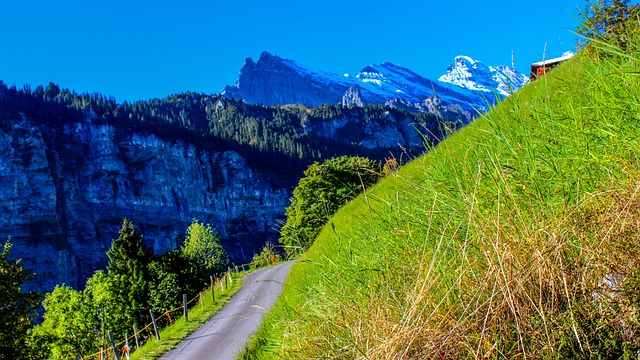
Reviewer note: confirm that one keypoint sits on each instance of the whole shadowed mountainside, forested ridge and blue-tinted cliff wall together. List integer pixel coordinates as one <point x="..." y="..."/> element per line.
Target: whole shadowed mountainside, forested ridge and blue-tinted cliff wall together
<point x="72" y="166"/>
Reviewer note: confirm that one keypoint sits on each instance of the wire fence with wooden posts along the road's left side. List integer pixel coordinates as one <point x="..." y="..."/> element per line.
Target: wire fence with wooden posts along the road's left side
<point x="111" y="349"/>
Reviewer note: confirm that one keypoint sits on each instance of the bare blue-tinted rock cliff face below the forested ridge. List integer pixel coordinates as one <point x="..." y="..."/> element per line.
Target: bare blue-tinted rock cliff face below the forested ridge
<point x="65" y="189"/>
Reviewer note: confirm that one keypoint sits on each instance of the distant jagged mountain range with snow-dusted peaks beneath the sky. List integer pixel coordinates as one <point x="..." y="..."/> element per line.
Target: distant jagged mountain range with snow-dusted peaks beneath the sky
<point x="460" y="94"/>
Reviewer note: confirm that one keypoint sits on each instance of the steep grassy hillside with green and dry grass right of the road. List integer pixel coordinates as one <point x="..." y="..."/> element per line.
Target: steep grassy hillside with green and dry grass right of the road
<point x="516" y="237"/>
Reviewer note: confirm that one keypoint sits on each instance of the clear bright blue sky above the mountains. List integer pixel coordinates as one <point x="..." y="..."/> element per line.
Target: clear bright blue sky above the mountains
<point x="134" y="49"/>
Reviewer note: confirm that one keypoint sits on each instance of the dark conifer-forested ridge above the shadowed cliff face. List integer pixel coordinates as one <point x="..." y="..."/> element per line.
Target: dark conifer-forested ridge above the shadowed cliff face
<point x="273" y="138"/>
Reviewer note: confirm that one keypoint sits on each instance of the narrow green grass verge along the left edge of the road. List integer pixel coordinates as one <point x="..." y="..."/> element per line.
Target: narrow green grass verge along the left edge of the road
<point x="171" y="336"/>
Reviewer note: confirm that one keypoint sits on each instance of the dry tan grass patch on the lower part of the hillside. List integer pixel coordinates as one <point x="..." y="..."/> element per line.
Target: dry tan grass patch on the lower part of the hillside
<point x="537" y="288"/>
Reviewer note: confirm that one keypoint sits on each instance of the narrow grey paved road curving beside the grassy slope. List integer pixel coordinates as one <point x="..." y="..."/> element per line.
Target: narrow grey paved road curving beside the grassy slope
<point x="227" y="333"/>
